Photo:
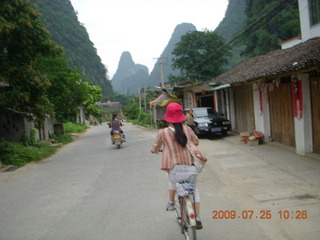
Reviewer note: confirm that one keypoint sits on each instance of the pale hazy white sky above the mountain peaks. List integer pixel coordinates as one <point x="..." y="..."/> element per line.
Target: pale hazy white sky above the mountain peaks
<point x="142" y="27"/>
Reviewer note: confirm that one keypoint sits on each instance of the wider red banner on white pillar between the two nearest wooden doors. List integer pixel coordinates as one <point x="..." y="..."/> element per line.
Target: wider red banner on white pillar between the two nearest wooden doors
<point x="297" y="98"/>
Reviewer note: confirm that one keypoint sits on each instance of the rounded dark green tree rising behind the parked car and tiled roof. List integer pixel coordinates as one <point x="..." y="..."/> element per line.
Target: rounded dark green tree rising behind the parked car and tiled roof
<point x="200" y="55"/>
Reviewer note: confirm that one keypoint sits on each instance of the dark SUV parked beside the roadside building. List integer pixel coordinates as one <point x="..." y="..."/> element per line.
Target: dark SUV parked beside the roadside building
<point x="209" y="121"/>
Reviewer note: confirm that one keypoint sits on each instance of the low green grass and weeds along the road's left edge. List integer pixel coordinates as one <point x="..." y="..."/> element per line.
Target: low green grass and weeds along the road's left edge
<point x="19" y="154"/>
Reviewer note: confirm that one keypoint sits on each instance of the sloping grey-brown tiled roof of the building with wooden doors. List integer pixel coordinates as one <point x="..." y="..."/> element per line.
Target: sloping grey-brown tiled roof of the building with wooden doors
<point x="279" y="62"/>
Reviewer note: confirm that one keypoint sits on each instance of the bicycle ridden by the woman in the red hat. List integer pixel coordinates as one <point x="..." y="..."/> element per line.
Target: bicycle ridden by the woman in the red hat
<point x="184" y="210"/>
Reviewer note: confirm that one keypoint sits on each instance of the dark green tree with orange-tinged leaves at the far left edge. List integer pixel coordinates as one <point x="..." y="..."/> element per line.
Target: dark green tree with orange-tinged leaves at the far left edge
<point x="23" y="41"/>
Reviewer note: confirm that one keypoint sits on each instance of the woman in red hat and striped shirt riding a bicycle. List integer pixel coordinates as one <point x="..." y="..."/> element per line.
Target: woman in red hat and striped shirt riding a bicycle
<point x="174" y="140"/>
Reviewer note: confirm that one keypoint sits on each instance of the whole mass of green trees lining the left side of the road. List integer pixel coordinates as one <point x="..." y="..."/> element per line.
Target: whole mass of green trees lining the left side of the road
<point x="40" y="80"/>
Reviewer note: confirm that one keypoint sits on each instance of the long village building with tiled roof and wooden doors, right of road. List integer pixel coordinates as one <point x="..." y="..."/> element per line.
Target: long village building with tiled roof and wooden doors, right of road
<point x="276" y="93"/>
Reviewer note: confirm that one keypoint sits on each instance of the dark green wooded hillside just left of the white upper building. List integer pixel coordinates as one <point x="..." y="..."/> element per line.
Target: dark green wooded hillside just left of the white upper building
<point x="268" y="23"/>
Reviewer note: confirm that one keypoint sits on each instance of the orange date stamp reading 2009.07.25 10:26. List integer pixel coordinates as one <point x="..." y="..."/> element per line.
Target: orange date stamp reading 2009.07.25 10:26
<point x="262" y="214"/>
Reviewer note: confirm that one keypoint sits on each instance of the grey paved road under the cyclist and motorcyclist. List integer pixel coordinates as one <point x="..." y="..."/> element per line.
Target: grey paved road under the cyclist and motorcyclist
<point x="91" y="190"/>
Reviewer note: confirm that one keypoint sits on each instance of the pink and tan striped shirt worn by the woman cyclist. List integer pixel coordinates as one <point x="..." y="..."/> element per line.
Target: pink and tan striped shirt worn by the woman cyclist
<point x="172" y="152"/>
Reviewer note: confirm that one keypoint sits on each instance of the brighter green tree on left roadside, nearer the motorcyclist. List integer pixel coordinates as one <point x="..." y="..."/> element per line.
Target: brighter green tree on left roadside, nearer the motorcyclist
<point x="69" y="90"/>
